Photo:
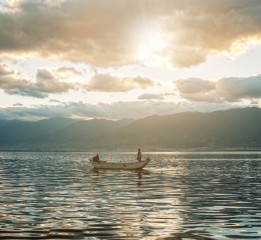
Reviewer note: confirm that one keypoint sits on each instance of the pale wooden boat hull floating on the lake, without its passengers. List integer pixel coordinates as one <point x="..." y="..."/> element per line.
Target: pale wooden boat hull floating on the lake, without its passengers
<point x="120" y="165"/>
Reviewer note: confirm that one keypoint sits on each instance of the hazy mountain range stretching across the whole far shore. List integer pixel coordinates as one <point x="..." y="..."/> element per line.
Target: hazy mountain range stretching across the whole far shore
<point x="219" y="130"/>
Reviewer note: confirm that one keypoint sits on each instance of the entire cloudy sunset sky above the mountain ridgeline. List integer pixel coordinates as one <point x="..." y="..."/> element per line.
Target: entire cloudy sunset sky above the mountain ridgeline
<point x="119" y="59"/>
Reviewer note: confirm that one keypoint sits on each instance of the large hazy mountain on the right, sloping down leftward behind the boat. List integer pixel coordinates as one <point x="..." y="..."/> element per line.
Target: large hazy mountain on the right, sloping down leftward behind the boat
<point x="221" y="129"/>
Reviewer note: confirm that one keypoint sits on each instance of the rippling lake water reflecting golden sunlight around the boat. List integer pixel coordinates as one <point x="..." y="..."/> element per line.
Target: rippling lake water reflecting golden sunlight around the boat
<point x="177" y="196"/>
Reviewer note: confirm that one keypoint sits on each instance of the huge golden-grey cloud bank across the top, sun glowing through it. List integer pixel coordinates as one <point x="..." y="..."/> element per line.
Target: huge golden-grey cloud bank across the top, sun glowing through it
<point x="91" y="32"/>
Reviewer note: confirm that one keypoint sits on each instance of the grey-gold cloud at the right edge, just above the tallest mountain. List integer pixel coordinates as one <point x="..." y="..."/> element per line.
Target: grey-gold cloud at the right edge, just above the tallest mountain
<point x="222" y="90"/>
